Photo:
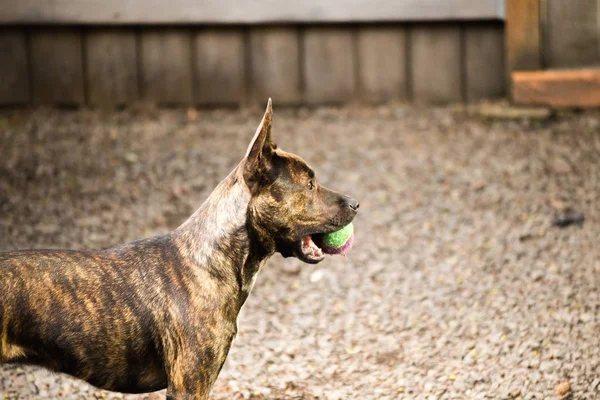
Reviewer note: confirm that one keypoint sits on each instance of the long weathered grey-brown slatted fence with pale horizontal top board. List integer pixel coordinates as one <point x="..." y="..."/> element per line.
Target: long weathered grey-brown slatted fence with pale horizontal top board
<point x="106" y="53"/>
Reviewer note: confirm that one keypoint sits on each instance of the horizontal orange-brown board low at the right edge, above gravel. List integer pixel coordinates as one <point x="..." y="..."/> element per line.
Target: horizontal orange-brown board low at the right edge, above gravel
<point x="579" y="88"/>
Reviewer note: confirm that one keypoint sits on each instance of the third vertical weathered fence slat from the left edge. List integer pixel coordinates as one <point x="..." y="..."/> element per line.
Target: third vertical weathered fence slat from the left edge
<point x="112" y="70"/>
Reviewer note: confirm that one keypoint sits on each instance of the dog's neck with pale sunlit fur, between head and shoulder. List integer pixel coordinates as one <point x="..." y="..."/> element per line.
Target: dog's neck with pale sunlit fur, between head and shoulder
<point x="218" y="239"/>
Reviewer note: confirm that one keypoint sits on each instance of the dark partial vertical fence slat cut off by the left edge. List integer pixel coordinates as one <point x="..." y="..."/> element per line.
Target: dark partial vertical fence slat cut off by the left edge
<point x="14" y="79"/>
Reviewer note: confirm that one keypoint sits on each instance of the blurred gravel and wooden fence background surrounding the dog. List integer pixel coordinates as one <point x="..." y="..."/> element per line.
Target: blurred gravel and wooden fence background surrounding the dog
<point x="468" y="130"/>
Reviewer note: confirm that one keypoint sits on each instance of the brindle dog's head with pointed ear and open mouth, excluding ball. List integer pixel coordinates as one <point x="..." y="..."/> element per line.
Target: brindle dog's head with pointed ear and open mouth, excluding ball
<point x="288" y="206"/>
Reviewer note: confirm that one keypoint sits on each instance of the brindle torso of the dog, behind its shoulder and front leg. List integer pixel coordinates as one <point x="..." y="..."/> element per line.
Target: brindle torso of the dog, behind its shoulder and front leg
<point x="94" y="315"/>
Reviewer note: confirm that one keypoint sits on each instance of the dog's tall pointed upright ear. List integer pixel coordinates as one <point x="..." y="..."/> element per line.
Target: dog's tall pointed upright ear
<point x="260" y="151"/>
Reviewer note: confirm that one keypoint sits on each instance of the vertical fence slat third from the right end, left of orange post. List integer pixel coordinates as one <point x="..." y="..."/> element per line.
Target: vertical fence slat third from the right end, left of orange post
<point x="382" y="63"/>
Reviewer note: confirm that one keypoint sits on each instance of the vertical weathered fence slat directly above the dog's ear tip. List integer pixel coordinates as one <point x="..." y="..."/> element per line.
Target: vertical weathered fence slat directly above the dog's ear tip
<point x="275" y="65"/>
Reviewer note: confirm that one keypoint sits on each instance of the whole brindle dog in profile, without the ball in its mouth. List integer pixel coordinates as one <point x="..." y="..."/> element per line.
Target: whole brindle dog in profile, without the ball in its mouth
<point x="162" y="312"/>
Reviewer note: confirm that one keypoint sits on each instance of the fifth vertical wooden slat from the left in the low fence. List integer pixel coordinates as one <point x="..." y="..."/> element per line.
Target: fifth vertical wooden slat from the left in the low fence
<point x="219" y="66"/>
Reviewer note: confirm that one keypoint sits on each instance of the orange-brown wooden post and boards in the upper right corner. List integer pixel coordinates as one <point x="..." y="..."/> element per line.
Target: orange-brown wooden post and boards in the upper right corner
<point x="543" y="39"/>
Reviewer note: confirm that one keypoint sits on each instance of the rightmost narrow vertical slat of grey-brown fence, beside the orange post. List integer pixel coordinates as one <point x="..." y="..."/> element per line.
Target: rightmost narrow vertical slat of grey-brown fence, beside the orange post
<point x="484" y="64"/>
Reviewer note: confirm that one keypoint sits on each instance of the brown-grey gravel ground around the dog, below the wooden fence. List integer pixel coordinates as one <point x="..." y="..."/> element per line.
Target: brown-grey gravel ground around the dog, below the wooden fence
<point x="459" y="286"/>
